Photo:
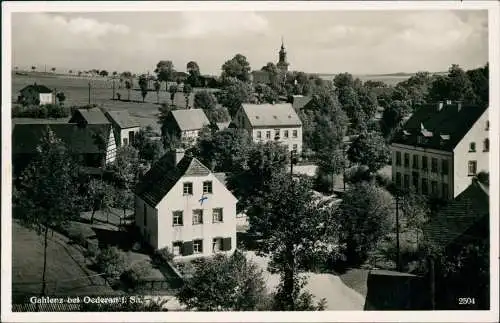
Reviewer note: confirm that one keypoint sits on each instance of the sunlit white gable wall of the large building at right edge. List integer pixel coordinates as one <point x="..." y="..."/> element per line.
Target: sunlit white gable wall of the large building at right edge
<point x="477" y="134"/>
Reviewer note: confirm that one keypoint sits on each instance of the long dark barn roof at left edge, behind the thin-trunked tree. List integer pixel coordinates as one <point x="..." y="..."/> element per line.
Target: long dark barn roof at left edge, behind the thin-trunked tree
<point x="79" y="140"/>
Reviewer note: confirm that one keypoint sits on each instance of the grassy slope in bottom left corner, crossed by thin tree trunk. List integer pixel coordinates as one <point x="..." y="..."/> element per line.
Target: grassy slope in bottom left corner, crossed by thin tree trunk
<point x="65" y="273"/>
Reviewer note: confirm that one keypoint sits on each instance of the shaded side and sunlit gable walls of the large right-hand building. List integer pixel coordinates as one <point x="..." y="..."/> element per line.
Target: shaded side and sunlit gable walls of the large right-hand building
<point x="442" y="173"/>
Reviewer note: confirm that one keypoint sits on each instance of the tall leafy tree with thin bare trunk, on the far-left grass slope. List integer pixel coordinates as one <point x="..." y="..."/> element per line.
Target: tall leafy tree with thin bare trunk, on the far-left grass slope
<point x="46" y="192"/>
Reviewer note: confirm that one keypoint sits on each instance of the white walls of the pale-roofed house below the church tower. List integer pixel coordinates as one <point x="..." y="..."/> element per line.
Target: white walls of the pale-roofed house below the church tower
<point x="290" y="136"/>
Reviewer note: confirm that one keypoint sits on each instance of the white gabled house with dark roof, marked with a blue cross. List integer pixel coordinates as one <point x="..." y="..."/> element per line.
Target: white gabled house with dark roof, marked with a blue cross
<point x="182" y="205"/>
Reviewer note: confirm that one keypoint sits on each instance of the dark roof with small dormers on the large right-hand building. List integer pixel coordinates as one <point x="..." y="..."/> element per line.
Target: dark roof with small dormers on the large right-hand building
<point x="450" y="122"/>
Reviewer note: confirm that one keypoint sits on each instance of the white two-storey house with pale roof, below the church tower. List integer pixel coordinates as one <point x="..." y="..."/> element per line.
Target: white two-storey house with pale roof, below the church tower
<point x="271" y="122"/>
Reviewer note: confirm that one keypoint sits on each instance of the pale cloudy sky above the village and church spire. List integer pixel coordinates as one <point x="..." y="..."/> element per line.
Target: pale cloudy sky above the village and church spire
<point x="358" y="42"/>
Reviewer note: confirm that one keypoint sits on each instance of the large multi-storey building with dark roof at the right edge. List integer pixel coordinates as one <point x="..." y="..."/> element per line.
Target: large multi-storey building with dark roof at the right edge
<point x="440" y="148"/>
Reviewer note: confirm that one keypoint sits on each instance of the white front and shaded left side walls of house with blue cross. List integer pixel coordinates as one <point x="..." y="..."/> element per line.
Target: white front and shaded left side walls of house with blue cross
<point x="161" y="230"/>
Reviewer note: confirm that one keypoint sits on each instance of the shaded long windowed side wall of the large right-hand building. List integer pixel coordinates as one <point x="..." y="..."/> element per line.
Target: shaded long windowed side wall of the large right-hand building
<point x="430" y="176"/>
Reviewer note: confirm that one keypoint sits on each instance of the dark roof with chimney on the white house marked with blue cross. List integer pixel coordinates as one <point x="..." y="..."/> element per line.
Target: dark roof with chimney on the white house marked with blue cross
<point x="160" y="179"/>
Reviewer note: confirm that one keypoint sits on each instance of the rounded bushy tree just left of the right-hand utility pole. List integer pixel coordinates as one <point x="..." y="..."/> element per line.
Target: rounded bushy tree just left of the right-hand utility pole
<point x="364" y="217"/>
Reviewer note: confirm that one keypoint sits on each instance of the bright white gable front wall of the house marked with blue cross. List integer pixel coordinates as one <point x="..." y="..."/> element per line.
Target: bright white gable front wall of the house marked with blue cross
<point x="175" y="200"/>
